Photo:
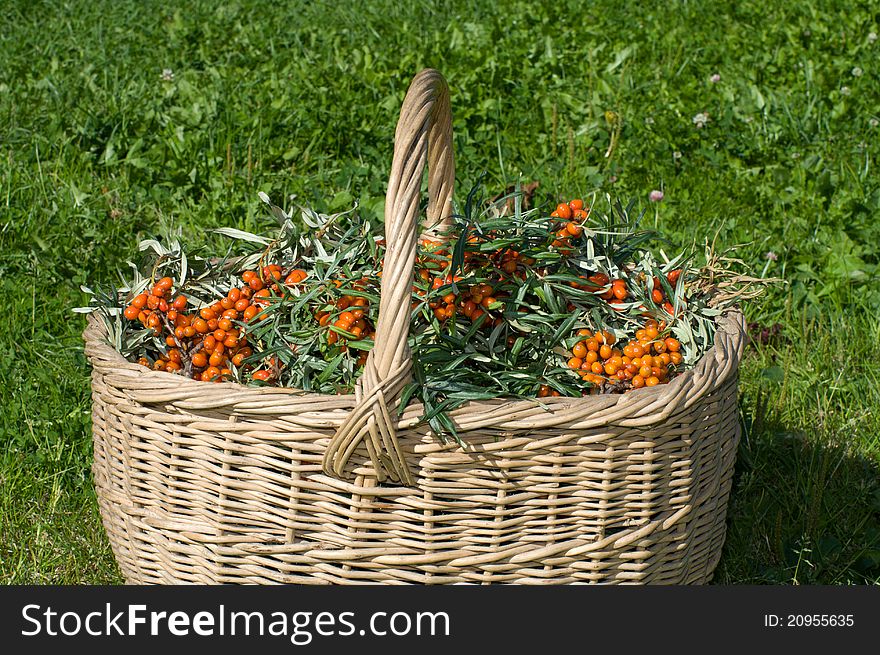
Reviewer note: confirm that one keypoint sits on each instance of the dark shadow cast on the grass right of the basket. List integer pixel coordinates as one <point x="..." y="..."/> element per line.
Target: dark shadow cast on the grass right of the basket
<point x="803" y="510"/>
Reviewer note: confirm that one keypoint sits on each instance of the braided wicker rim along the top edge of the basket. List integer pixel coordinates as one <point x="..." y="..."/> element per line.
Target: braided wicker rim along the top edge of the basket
<point x="709" y="372"/>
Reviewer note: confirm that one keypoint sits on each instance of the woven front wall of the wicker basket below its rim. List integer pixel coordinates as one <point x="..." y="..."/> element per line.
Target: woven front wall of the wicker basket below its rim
<point x="213" y="489"/>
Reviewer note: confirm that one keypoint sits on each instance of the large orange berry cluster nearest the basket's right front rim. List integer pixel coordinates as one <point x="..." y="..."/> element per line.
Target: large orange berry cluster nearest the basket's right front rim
<point x="646" y="361"/>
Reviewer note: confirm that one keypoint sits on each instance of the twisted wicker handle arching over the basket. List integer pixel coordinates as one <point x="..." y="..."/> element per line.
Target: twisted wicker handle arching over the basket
<point x="423" y="136"/>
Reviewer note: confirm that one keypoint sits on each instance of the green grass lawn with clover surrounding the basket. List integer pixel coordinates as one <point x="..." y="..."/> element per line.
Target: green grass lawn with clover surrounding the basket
<point x="97" y="151"/>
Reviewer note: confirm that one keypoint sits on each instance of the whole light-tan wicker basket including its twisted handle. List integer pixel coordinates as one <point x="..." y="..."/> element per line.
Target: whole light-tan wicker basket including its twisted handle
<point x="222" y="483"/>
